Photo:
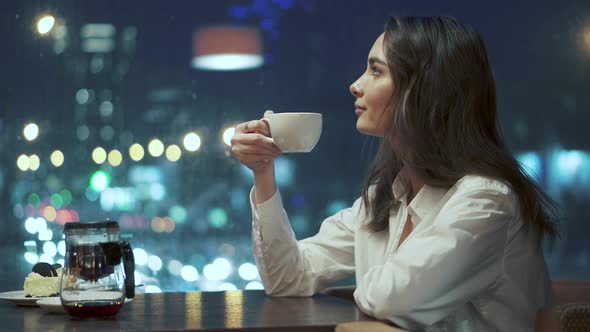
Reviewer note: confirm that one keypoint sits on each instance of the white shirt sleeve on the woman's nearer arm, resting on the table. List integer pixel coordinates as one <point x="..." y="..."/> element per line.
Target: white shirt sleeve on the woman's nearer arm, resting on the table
<point x="441" y="268"/>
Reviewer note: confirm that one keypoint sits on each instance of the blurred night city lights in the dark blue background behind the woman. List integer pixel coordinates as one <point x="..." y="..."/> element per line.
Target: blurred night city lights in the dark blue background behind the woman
<point x="103" y="114"/>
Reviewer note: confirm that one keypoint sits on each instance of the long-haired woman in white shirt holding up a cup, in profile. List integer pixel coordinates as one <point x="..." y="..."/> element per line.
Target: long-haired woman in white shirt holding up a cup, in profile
<point x="448" y="231"/>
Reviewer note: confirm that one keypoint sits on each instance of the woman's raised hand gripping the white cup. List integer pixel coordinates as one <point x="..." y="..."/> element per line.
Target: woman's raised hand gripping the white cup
<point x="253" y="147"/>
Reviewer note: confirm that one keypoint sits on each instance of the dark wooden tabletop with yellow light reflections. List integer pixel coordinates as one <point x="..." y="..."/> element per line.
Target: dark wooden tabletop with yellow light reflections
<point x="242" y="310"/>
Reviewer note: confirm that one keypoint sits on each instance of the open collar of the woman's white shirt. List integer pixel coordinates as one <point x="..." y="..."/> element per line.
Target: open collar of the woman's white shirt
<point x="423" y="203"/>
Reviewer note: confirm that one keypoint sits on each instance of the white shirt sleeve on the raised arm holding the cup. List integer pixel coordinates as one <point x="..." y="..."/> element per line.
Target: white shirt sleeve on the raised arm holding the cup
<point x="289" y="267"/>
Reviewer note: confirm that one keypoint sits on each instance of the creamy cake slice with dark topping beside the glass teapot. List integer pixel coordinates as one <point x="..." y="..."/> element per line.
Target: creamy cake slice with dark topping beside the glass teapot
<point x="43" y="280"/>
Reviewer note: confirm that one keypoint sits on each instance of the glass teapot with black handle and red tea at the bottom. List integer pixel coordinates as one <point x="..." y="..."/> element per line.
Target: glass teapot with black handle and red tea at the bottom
<point x="98" y="269"/>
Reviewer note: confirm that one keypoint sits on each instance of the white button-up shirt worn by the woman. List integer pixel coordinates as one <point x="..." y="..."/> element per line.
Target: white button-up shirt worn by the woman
<point x="468" y="264"/>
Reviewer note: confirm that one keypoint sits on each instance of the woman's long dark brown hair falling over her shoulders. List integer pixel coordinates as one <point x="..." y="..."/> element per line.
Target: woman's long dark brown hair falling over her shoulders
<point x="444" y="117"/>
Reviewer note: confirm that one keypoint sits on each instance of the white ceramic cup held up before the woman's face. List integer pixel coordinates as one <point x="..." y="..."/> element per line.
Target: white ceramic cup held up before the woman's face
<point x="295" y="132"/>
